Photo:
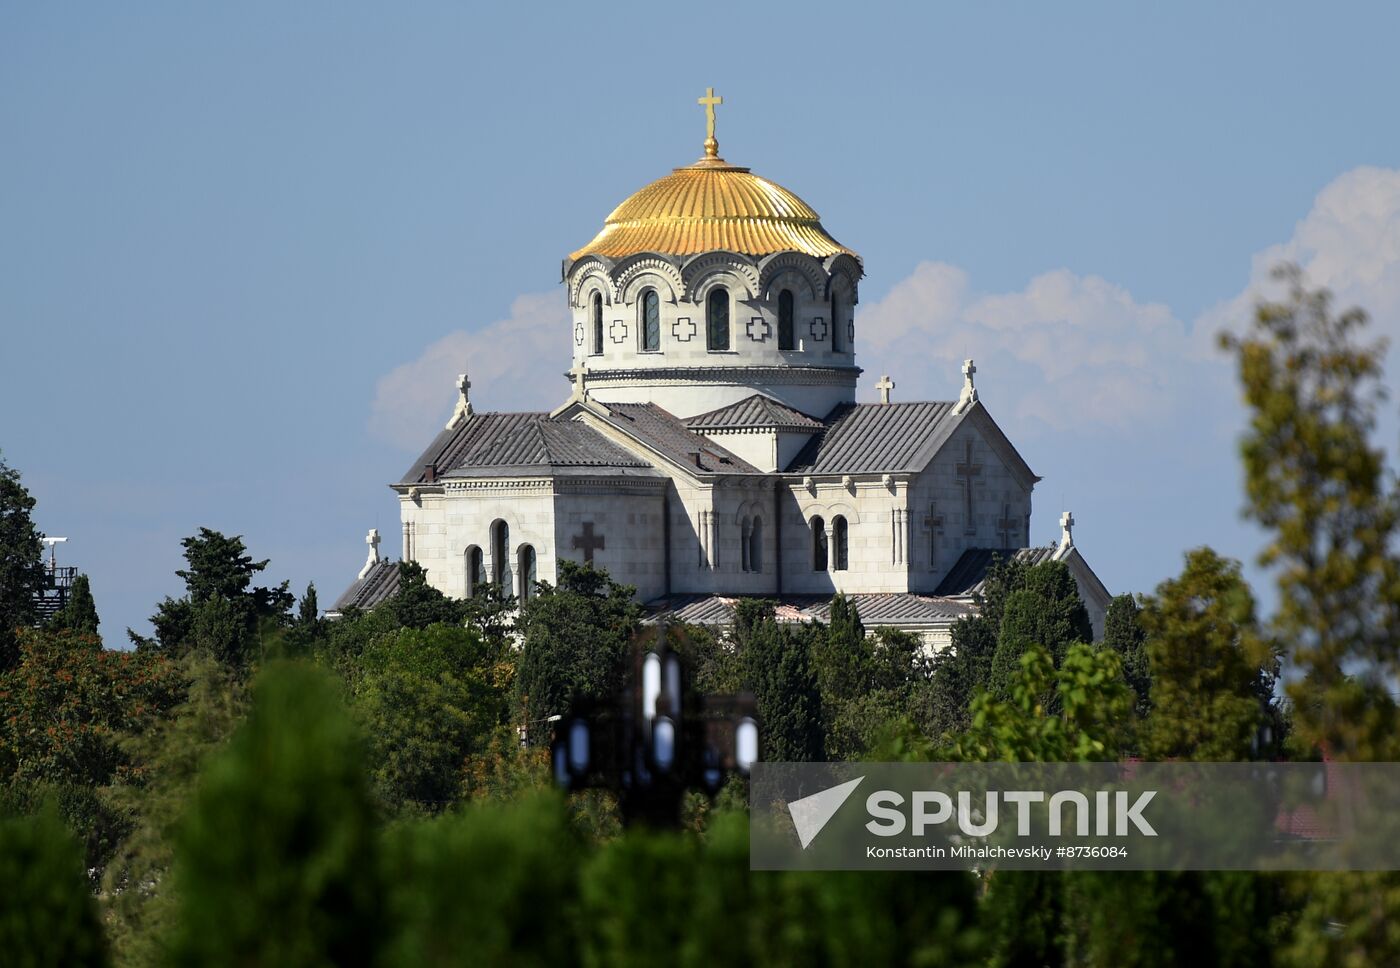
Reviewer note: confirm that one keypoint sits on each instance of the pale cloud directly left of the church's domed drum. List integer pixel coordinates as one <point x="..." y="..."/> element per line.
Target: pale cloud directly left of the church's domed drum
<point x="514" y="365"/>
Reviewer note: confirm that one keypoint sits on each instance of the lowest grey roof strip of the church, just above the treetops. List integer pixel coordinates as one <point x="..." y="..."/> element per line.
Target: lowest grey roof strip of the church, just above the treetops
<point x="890" y="609"/>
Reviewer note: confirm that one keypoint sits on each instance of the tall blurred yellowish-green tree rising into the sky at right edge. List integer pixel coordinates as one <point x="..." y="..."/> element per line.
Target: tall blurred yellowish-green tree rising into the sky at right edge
<point x="1319" y="487"/>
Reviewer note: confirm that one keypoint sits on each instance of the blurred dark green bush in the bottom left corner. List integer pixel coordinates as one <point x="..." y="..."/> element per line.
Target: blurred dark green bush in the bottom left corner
<point x="48" y="915"/>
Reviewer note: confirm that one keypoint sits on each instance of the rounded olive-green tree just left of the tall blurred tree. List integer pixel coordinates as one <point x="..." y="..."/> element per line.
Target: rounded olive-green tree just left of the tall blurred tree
<point x="1213" y="670"/>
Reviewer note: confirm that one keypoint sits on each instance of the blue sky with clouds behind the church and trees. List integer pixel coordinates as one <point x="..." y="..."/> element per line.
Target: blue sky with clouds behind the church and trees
<point x="244" y="249"/>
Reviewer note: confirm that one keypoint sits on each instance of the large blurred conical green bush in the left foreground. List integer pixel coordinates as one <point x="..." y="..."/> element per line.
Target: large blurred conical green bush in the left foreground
<point x="276" y="857"/>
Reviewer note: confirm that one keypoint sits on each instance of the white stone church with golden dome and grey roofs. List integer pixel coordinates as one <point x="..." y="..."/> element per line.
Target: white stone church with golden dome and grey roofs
<point x="712" y="448"/>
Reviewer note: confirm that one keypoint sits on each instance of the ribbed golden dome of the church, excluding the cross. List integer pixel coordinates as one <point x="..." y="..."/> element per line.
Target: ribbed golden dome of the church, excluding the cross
<point x="712" y="205"/>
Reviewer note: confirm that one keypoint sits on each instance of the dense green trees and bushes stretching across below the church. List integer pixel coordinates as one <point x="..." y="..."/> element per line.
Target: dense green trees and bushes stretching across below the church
<point x="258" y="785"/>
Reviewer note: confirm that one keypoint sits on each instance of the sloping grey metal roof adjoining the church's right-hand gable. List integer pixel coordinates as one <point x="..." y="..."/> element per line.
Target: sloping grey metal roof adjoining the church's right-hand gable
<point x="871" y="438"/>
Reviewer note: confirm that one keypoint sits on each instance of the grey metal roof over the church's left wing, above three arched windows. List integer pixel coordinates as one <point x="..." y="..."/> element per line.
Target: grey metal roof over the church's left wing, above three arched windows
<point x="519" y="441"/>
